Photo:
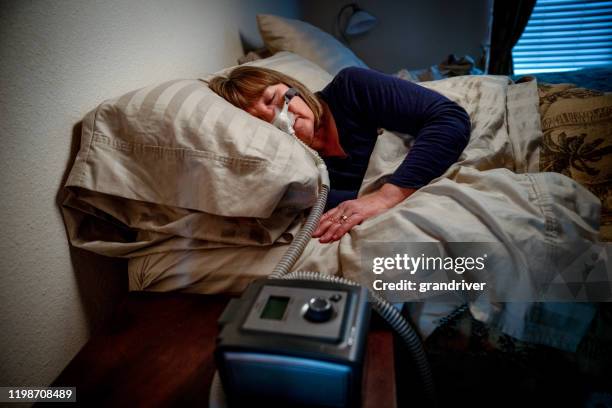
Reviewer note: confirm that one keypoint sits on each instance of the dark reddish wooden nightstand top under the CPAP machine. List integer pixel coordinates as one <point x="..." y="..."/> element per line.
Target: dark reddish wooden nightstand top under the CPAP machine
<point x="157" y="350"/>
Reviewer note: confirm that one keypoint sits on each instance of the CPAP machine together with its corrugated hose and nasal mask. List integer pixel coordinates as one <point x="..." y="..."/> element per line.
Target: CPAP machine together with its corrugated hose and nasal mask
<point x="298" y="339"/>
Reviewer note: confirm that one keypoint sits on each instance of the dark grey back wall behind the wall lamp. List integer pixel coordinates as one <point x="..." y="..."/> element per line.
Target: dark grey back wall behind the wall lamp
<point x="410" y="34"/>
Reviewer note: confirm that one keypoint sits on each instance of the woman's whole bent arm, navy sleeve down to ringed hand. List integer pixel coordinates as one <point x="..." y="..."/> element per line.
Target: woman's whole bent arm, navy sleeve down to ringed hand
<point x="441" y="128"/>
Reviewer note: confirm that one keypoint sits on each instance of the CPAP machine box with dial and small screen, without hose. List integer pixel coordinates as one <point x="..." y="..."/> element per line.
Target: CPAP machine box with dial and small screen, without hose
<point x="294" y="343"/>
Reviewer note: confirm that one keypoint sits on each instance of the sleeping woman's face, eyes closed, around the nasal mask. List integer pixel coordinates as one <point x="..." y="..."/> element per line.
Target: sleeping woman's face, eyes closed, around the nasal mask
<point x="273" y="96"/>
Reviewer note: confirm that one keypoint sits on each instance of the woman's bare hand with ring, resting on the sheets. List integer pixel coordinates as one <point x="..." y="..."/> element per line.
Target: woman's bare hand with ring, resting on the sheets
<point x="338" y="221"/>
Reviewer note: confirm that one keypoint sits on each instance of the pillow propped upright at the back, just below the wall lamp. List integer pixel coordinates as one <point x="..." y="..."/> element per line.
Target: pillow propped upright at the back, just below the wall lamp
<point x="306" y="40"/>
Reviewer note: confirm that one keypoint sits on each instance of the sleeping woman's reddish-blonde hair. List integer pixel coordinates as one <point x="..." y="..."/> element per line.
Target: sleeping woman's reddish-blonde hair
<point x="245" y="84"/>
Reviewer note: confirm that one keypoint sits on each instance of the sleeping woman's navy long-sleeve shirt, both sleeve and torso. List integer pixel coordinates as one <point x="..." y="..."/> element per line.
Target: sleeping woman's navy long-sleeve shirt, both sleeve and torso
<point x="362" y="101"/>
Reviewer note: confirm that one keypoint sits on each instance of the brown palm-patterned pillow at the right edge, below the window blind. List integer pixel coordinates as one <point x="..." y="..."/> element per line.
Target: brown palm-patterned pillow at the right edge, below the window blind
<point x="577" y="140"/>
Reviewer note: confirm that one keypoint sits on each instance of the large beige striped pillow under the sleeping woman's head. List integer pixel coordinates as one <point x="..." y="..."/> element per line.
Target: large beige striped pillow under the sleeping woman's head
<point x="175" y="160"/>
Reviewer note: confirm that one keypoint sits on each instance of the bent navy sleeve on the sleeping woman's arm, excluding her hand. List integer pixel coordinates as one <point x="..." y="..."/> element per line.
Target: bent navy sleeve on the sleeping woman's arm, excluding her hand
<point x="440" y="126"/>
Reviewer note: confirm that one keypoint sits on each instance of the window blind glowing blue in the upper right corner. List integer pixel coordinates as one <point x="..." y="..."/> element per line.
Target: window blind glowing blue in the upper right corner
<point x="565" y="35"/>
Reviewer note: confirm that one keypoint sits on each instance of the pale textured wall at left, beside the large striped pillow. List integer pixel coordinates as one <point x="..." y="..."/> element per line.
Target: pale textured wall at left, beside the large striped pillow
<point x="59" y="60"/>
